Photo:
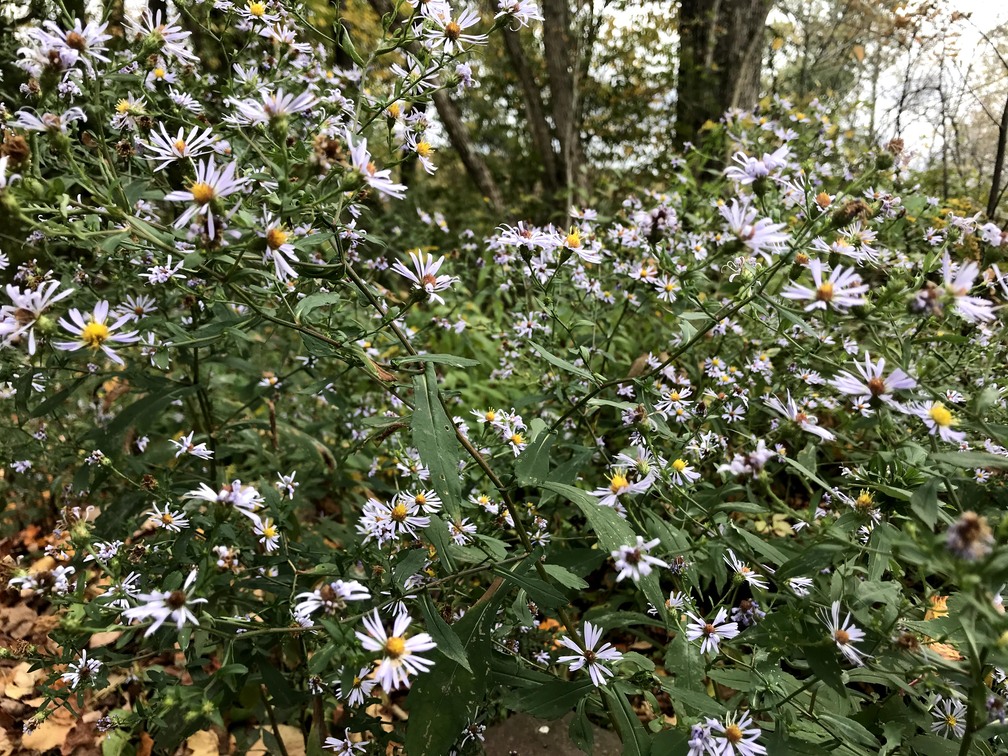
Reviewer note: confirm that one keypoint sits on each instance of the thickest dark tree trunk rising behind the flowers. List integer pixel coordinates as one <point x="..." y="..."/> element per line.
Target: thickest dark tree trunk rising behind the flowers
<point x="721" y="59"/>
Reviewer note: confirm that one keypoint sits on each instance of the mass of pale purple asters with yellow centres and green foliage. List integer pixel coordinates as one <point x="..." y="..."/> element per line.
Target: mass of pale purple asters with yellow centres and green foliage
<point x="720" y="468"/>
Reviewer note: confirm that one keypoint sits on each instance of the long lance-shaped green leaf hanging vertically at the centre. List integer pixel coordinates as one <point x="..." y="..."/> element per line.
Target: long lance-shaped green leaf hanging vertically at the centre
<point x="434" y="437"/>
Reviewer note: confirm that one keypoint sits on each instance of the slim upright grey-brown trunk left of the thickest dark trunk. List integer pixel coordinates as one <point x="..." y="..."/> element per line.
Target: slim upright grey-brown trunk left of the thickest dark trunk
<point x="561" y="68"/>
